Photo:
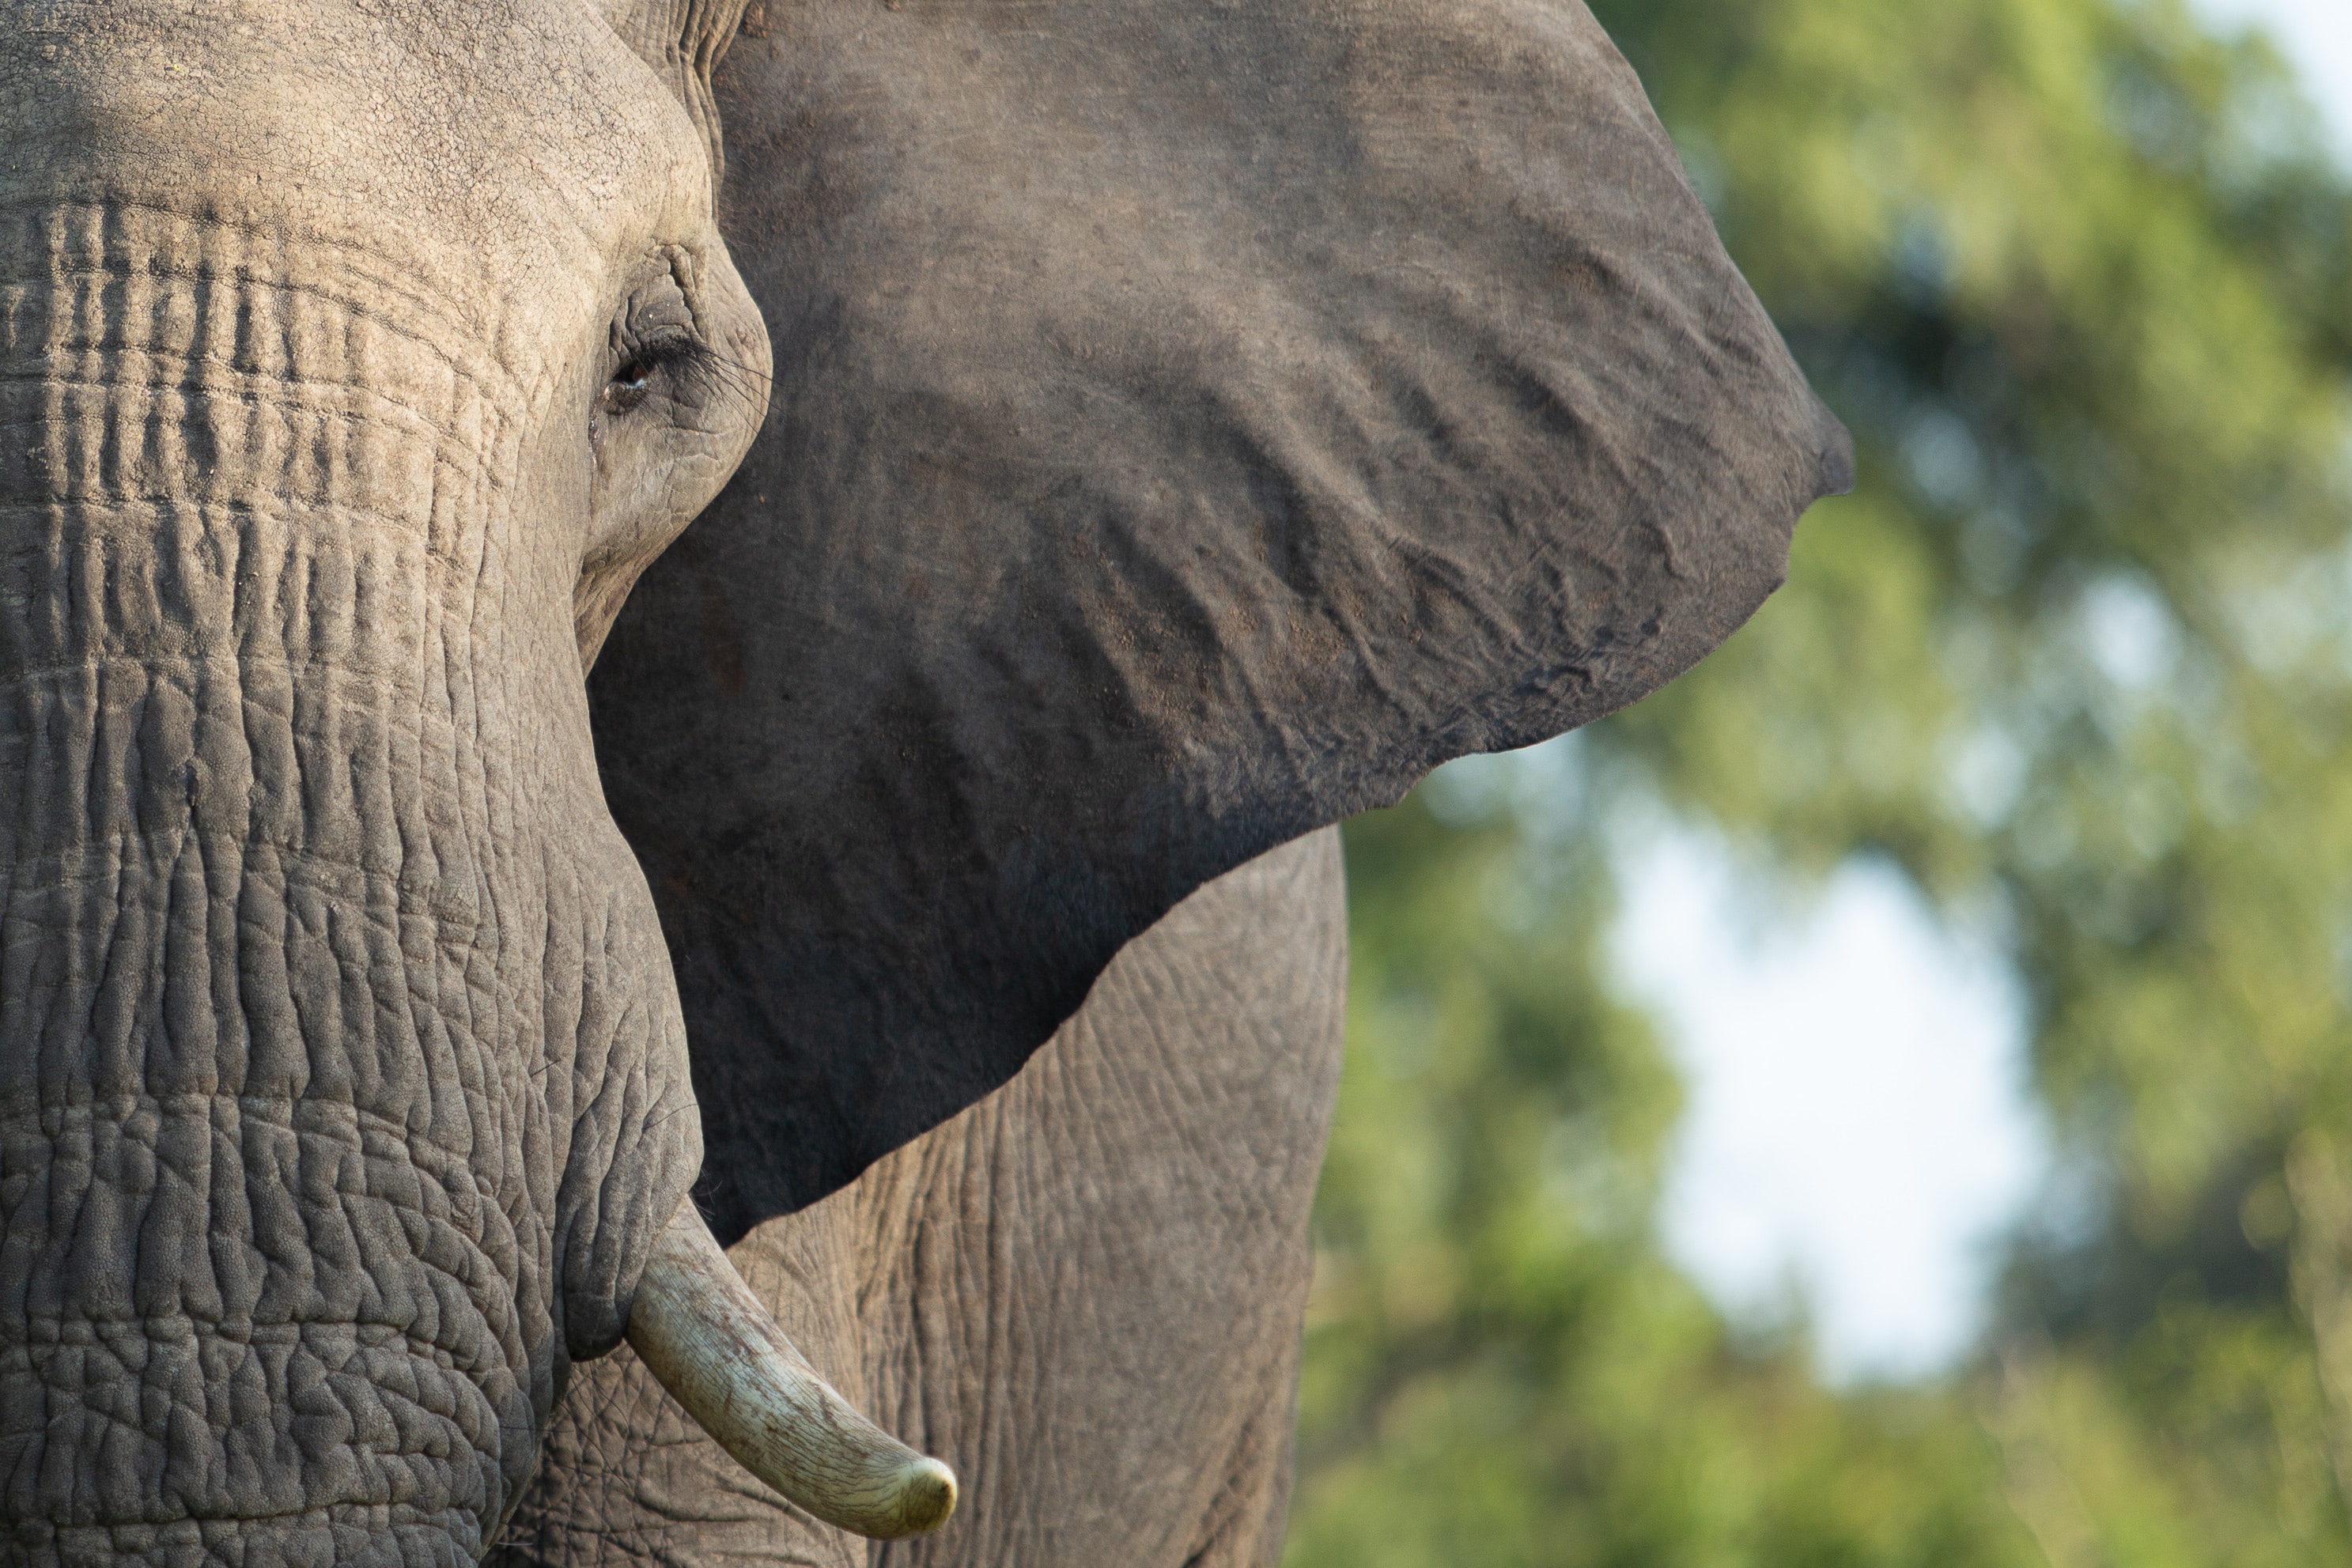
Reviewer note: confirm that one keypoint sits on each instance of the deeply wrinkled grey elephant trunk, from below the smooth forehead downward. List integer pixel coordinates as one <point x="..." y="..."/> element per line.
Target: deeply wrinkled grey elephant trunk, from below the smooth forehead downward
<point x="342" y="1078"/>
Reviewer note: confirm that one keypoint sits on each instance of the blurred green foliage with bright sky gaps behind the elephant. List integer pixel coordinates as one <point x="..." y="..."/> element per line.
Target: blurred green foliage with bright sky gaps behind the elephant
<point x="1887" y="1099"/>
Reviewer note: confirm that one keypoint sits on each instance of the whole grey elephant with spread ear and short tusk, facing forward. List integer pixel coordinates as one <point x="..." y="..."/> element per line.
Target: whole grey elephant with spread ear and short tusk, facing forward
<point x="507" y="1040"/>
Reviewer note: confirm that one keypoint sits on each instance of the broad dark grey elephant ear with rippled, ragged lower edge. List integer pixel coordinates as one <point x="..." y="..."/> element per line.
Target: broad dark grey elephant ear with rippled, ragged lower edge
<point x="1194" y="422"/>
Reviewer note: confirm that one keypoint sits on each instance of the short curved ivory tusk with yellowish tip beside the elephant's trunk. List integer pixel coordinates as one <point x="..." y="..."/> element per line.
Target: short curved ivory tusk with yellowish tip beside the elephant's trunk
<point x="709" y="1341"/>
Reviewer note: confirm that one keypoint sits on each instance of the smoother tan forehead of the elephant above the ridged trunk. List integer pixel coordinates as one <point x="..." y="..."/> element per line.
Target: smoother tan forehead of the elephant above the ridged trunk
<point x="519" y="138"/>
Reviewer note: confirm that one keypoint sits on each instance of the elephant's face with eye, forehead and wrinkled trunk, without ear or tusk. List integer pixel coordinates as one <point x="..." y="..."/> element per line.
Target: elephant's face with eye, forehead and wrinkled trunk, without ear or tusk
<point x="354" y="361"/>
